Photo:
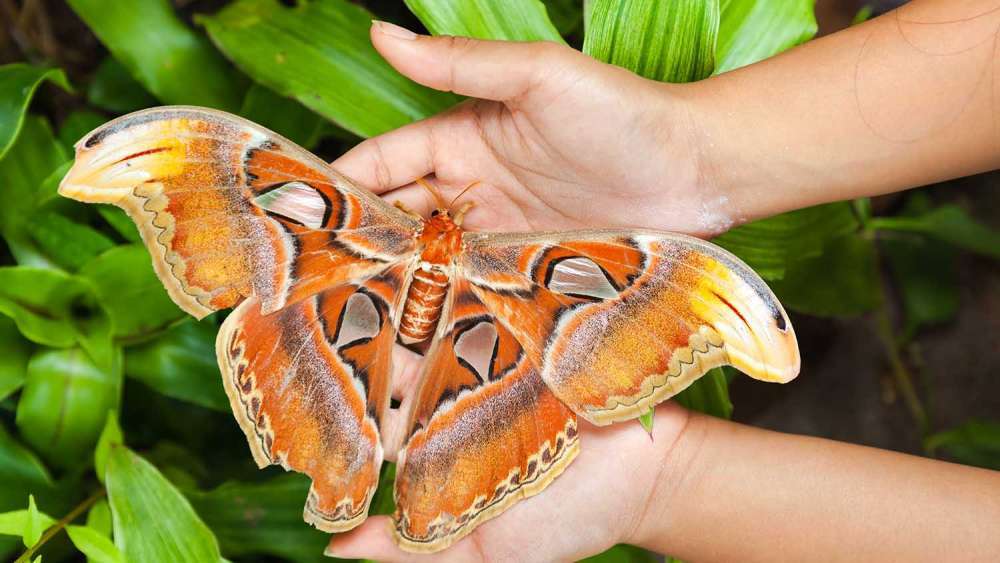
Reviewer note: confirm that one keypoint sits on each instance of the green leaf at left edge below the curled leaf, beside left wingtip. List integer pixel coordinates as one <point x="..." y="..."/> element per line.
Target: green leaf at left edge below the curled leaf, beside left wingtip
<point x="35" y="155"/>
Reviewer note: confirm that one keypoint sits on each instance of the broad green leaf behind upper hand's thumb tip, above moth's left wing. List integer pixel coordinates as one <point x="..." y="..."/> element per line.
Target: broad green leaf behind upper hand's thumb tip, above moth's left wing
<point x="320" y="54"/>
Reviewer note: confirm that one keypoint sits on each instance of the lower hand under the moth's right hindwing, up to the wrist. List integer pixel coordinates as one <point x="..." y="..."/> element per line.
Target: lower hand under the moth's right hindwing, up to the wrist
<point x="600" y="500"/>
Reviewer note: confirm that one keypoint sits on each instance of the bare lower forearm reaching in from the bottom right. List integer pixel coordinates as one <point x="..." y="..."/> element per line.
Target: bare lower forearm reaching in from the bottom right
<point x="740" y="493"/>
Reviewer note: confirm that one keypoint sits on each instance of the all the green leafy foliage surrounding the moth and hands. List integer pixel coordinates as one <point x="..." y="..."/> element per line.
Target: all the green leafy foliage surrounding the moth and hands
<point x="80" y="306"/>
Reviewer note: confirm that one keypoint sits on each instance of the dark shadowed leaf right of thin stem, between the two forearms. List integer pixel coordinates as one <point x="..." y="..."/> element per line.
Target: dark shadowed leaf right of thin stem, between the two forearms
<point x="925" y="275"/>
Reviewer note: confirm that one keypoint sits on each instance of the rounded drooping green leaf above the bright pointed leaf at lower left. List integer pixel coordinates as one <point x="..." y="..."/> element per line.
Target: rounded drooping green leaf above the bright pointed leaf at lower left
<point x="65" y="403"/>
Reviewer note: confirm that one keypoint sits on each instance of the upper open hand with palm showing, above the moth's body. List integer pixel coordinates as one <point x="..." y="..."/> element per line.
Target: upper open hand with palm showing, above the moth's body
<point x="556" y="140"/>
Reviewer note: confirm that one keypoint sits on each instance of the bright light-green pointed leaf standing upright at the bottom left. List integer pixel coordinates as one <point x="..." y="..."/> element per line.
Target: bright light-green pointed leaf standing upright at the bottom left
<point x="152" y="519"/>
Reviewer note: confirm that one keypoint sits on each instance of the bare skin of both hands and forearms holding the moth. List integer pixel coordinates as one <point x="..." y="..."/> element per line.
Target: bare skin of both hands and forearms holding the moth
<point x="559" y="141"/>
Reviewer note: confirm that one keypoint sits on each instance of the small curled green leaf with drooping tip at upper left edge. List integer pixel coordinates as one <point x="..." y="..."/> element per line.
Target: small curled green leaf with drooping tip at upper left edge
<point x="18" y="83"/>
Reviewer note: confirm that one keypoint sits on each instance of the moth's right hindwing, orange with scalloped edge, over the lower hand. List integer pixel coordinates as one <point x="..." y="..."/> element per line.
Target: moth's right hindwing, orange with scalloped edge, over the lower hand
<point x="484" y="430"/>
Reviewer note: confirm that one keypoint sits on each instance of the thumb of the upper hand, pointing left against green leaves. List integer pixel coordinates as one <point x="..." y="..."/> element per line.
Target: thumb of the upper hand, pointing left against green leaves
<point x="491" y="70"/>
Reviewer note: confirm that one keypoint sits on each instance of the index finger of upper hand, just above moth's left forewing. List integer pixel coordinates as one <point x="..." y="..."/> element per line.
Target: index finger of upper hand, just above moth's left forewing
<point x="391" y="160"/>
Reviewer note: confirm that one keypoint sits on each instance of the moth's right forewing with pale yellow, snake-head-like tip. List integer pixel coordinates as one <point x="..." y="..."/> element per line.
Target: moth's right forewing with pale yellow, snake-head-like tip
<point x="618" y="321"/>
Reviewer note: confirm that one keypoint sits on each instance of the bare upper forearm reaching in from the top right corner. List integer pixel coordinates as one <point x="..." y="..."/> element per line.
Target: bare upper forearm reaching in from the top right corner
<point x="901" y="101"/>
